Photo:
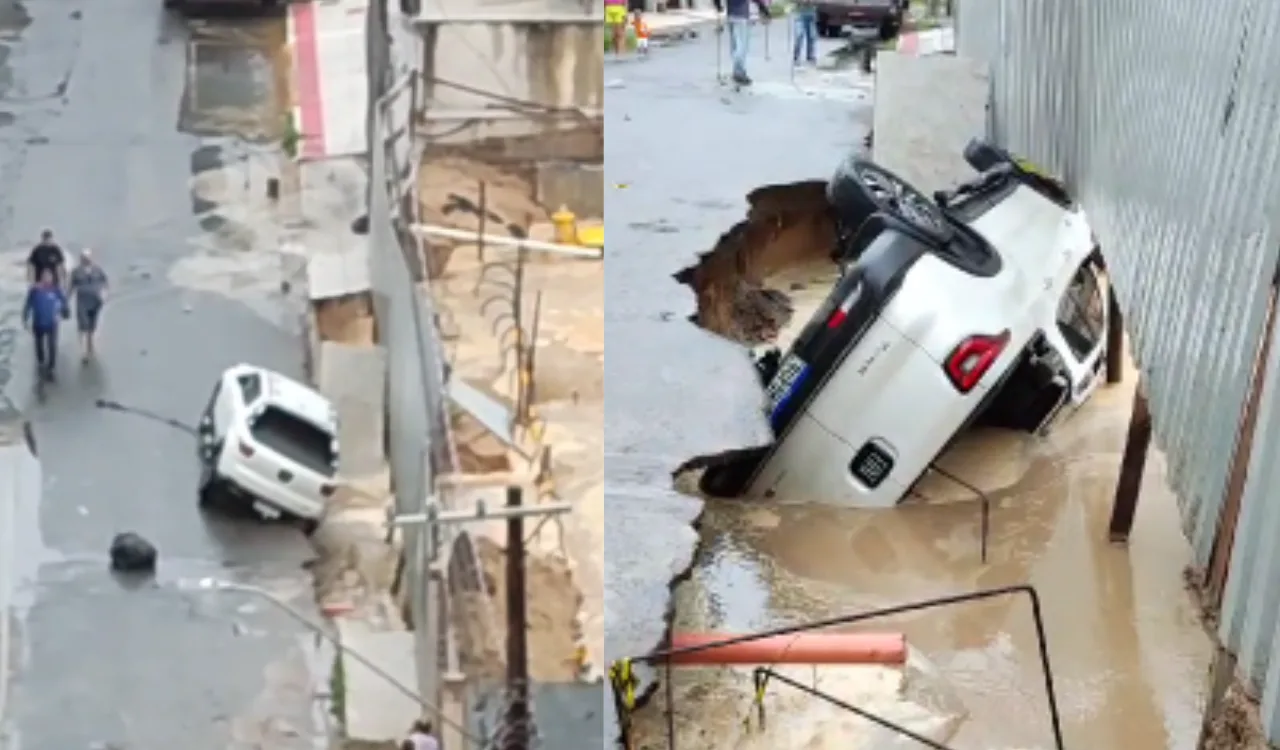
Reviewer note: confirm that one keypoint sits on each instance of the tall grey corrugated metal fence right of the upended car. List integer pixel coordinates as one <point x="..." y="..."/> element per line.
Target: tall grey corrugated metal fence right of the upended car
<point x="1164" y="117"/>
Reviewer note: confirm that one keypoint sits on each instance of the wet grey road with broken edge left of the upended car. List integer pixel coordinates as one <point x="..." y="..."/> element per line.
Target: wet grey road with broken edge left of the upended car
<point x="682" y="156"/>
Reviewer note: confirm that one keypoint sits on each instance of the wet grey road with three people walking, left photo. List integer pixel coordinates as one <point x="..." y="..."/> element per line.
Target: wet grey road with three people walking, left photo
<point x="90" y="95"/>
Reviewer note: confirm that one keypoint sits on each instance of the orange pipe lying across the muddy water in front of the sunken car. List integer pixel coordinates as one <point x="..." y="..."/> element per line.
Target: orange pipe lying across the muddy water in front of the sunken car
<point x="806" y="648"/>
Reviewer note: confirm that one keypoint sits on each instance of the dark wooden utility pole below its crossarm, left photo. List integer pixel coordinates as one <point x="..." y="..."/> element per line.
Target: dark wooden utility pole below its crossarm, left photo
<point x="518" y="722"/>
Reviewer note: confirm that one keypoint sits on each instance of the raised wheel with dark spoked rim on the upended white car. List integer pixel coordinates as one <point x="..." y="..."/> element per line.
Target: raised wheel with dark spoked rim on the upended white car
<point x="861" y="187"/>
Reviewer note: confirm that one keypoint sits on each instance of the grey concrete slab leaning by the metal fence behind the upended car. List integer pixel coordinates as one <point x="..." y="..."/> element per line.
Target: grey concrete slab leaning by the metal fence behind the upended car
<point x="926" y="111"/>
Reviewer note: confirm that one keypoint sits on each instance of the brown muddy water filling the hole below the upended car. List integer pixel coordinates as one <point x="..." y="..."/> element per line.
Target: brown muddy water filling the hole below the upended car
<point x="1128" y="652"/>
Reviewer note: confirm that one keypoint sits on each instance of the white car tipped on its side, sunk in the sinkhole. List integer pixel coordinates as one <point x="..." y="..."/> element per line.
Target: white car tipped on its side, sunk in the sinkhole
<point x="982" y="305"/>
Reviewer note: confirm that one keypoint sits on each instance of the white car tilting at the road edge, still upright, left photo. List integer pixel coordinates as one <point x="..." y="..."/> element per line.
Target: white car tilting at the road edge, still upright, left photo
<point x="271" y="443"/>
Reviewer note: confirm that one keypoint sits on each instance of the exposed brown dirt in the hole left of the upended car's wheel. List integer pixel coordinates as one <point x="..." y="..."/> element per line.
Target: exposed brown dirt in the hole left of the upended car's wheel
<point x="788" y="227"/>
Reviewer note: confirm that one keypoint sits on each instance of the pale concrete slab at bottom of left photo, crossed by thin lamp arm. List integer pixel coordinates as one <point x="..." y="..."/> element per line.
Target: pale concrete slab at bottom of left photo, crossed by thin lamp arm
<point x="377" y="711"/>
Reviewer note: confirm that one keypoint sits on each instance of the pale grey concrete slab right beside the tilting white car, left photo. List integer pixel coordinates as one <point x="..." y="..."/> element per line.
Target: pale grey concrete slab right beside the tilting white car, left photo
<point x="353" y="377"/>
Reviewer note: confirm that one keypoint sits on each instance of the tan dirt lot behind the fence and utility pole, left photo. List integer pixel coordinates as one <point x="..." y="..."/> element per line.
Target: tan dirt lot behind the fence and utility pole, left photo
<point x="473" y="289"/>
